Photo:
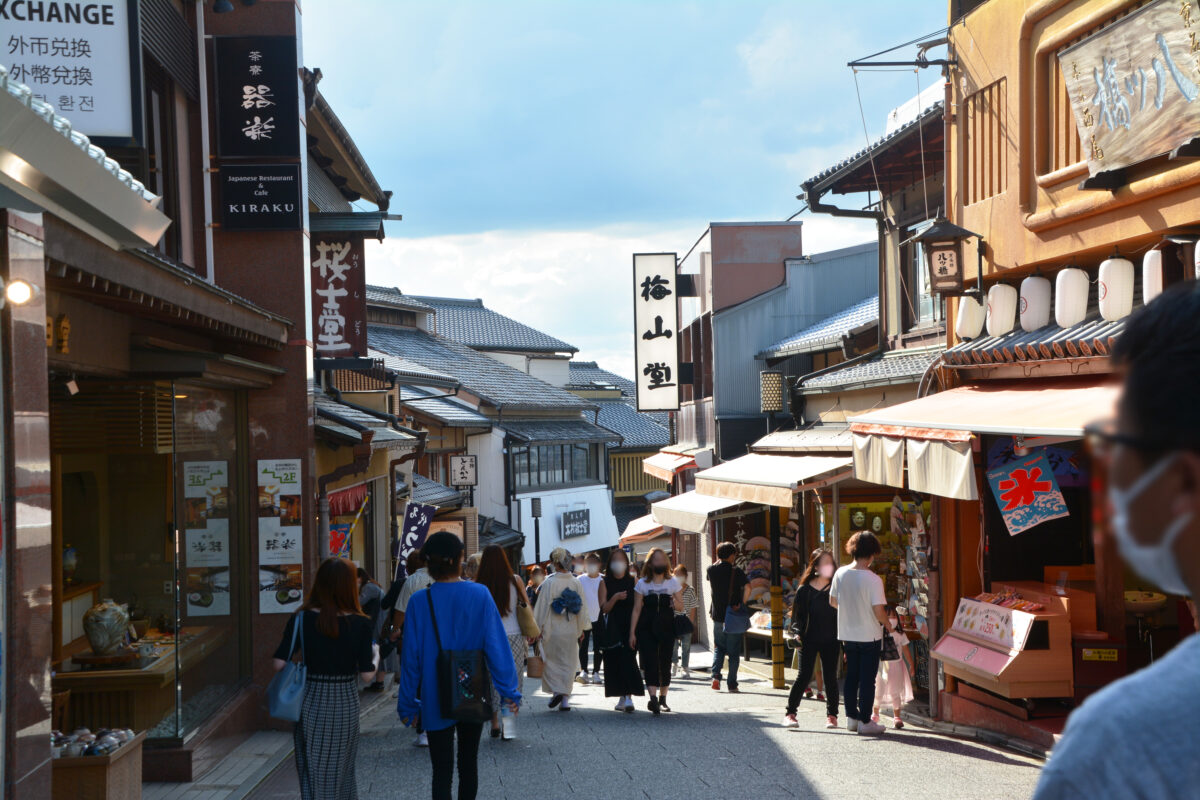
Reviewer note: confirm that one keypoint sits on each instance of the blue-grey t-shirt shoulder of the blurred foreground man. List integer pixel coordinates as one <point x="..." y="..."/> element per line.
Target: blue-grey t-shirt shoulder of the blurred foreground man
<point x="1135" y="739"/>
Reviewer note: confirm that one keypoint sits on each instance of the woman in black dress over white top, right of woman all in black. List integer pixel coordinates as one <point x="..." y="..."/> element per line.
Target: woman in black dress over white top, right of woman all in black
<point x="657" y="598"/>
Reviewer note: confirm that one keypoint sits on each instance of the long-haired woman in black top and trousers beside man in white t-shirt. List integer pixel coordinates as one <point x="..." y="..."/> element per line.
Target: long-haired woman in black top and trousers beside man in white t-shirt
<point x="815" y="629"/>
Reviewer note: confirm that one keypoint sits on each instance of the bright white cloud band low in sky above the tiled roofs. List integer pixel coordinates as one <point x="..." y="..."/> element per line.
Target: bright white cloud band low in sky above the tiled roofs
<point x="573" y="285"/>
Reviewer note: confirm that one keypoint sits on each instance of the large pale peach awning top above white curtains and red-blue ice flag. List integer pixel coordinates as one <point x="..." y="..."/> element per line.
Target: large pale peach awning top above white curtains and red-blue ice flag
<point x="1029" y="408"/>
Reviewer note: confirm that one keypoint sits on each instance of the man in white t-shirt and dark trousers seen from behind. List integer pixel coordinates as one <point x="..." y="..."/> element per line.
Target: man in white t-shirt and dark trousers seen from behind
<point x="857" y="594"/>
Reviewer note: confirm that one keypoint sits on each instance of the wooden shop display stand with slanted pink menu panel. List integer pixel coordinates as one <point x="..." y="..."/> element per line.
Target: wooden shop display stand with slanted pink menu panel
<point x="1012" y="653"/>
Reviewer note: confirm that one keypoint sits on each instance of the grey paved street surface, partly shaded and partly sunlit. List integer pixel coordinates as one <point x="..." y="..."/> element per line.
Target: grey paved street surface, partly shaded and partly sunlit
<point x="713" y="745"/>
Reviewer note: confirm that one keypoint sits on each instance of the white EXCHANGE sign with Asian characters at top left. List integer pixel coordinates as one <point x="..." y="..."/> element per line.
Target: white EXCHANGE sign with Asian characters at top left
<point x="77" y="57"/>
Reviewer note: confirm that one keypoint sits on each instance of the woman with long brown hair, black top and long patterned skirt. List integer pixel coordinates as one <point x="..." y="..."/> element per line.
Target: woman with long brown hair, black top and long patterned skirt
<point x="335" y="645"/>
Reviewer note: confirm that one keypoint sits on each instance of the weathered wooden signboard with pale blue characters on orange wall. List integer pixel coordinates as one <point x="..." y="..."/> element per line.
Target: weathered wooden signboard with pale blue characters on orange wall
<point x="1135" y="86"/>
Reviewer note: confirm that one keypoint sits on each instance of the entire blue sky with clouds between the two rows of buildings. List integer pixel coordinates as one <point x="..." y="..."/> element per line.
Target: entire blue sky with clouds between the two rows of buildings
<point x="533" y="147"/>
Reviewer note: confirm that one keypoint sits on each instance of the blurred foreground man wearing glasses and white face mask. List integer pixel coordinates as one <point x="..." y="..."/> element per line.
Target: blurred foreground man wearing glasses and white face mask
<point x="1130" y="739"/>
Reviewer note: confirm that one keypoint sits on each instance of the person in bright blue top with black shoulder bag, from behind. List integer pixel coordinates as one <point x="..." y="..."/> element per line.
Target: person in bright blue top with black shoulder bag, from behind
<point x="454" y="647"/>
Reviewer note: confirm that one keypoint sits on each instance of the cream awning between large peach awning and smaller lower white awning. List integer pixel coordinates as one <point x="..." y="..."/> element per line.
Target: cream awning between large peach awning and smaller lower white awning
<point x="770" y="479"/>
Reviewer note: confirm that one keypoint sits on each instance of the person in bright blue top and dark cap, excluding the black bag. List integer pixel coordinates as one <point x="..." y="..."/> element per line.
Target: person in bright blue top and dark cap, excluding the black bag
<point x="467" y="621"/>
